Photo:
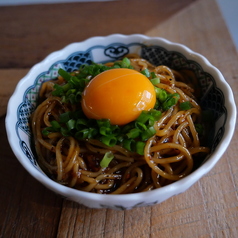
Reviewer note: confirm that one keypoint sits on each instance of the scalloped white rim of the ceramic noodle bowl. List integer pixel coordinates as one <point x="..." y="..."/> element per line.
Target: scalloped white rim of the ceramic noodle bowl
<point x="174" y="187"/>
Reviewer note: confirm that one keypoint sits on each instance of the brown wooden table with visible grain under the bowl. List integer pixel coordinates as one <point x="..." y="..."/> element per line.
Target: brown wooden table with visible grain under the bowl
<point x="28" y="34"/>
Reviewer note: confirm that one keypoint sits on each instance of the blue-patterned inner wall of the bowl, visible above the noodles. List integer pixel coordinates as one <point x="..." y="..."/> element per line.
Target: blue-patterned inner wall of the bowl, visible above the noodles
<point x="212" y="100"/>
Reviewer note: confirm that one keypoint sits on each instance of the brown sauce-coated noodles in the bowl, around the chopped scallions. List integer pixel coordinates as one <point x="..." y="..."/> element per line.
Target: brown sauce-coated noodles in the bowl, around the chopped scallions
<point x="168" y="155"/>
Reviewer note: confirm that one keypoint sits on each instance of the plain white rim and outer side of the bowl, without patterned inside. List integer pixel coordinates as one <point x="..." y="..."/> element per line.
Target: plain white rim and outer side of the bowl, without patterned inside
<point x="126" y="201"/>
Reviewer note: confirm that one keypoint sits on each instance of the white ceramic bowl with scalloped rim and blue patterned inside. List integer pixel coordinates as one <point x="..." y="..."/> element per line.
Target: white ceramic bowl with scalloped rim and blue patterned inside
<point x="217" y="97"/>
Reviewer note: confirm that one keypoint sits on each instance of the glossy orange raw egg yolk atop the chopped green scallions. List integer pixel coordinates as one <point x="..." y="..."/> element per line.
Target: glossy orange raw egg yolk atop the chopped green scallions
<point x="118" y="95"/>
